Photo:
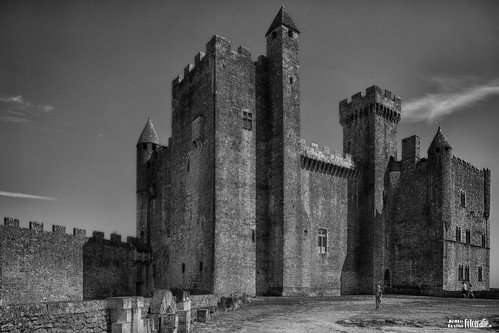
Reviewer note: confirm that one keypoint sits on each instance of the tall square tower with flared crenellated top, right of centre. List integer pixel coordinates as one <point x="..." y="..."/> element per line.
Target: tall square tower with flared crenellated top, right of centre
<point x="370" y="136"/>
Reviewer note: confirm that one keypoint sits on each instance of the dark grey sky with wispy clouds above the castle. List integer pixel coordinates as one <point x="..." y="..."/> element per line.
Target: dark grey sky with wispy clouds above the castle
<point x="78" y="80"/>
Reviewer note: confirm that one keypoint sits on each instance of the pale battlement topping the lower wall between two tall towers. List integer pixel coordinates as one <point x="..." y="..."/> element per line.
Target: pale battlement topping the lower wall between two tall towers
<point x="326" y="161"/>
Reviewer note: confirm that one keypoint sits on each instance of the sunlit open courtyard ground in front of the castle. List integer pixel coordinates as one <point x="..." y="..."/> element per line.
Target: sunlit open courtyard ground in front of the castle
<point x="353" y="314"/>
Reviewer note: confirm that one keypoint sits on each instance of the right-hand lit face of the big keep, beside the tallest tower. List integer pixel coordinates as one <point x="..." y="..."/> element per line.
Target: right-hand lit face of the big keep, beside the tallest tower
<point x="235" y="170"/>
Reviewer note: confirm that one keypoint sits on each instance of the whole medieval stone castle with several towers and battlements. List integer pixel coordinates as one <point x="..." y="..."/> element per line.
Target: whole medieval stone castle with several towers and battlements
<point x="238" y="203"/>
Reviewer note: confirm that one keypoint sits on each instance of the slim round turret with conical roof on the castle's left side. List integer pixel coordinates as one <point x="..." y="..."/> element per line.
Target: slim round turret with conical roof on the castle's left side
<point x="146" y="146"/>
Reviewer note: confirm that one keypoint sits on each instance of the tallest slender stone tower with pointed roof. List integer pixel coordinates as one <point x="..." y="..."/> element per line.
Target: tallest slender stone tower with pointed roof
<point x="285" y="273"/>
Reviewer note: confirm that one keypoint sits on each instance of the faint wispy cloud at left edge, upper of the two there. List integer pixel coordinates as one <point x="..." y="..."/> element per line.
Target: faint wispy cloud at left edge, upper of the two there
<point x="19" y="110"/>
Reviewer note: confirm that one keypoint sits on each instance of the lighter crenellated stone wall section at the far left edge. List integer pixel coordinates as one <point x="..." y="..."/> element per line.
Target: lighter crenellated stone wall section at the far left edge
<point x="39" y="266"/>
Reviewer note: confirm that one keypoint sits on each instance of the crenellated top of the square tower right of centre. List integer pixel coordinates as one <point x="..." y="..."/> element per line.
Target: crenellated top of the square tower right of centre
<point x="376" y="100"/>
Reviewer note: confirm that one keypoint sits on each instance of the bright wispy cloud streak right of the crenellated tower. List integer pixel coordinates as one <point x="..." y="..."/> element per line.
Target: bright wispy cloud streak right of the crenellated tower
<point x="452" y="94"/>
